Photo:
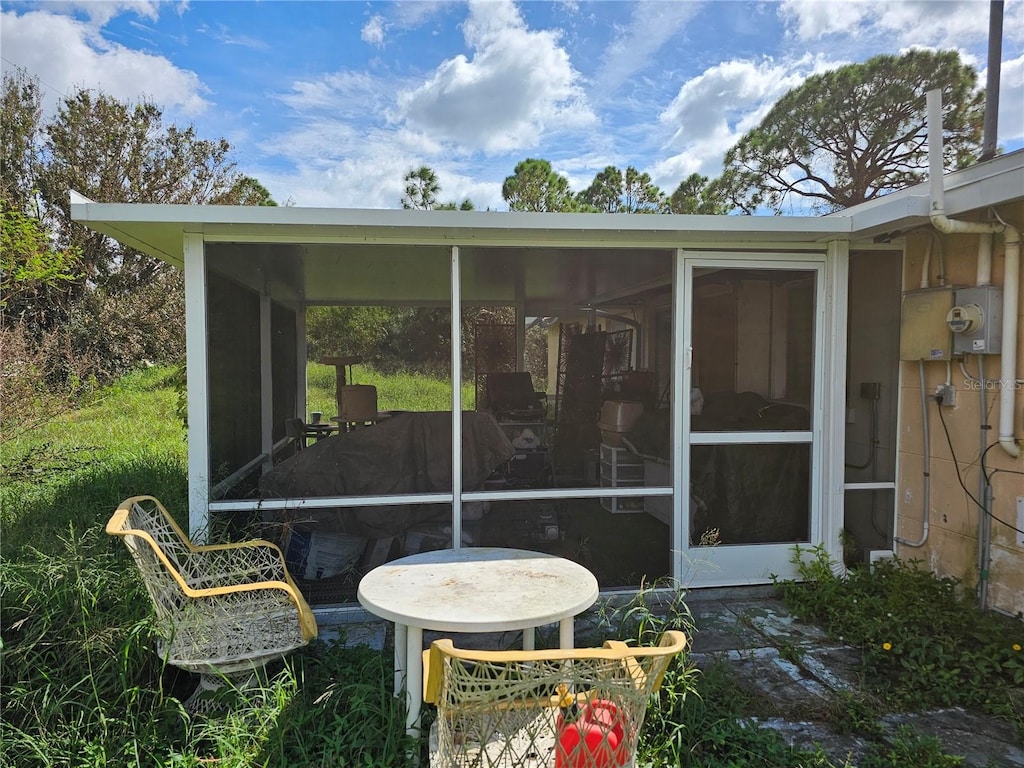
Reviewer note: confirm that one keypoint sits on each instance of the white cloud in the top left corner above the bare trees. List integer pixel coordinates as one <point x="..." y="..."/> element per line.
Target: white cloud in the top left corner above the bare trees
<point x="67" y="55"/>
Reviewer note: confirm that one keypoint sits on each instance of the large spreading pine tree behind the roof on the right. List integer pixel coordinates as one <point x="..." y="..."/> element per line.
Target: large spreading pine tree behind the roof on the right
<point x="856" y="134"/>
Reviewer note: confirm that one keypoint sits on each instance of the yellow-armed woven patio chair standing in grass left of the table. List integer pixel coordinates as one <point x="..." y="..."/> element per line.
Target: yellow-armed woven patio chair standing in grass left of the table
<point x="224" y="611"/>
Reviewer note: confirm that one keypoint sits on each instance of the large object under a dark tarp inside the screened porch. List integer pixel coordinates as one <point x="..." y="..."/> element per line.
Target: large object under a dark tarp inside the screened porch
<point x="410" y="453"/>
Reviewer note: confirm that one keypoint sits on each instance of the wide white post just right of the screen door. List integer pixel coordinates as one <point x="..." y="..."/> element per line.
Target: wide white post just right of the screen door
<point x="833" y="393"/>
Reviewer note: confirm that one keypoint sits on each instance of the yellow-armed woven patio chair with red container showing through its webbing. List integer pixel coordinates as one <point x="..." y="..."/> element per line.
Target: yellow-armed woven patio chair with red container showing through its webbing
<point x="557" y="709"/>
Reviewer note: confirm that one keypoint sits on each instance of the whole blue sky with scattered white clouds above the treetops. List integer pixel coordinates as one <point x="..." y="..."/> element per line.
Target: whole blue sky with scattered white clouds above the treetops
<point x="330" y="104"/>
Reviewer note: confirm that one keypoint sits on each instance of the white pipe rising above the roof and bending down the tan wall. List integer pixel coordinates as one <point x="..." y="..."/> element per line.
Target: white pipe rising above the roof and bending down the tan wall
<point x="1011" y="283"/>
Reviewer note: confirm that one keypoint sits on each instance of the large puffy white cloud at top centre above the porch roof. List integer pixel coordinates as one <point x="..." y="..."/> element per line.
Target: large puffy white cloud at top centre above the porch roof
<point x="519" y="87"/>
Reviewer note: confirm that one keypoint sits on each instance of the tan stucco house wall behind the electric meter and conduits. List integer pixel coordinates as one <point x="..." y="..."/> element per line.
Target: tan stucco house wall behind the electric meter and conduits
<point x="955" y="520"/>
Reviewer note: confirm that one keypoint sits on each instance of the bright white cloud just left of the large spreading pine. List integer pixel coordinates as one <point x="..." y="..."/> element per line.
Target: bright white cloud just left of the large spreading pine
<point x="714" y="110"/>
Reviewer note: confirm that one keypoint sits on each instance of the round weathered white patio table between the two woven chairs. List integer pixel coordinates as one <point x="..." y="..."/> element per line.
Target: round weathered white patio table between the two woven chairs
<point x="473" y="589"/>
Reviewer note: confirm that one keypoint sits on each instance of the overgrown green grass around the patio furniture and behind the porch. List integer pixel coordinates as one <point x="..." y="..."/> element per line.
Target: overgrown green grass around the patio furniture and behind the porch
<point x="81" y="686"/>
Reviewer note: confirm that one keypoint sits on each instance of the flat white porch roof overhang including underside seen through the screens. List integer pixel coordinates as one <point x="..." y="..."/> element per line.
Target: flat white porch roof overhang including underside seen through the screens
<point x="549" y="261"/>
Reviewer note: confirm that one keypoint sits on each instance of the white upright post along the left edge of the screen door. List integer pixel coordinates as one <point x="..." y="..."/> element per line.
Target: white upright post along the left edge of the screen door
<point x="679" y="411"/>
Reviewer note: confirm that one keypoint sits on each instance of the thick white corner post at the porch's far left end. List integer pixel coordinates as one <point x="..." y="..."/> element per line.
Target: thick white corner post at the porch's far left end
<point x="198" y="387"/>
